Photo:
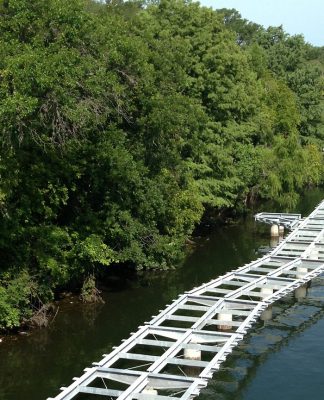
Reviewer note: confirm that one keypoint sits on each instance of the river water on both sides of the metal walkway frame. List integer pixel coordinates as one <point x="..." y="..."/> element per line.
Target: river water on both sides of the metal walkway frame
<point x="282" y="358"/>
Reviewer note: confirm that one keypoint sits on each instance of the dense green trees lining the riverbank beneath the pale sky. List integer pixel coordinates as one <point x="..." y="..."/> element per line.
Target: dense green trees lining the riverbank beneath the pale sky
<point x="122" y="123"/>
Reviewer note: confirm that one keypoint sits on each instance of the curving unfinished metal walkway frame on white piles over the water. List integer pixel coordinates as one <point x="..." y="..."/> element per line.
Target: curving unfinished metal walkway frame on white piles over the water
<point x="176" y="353"/>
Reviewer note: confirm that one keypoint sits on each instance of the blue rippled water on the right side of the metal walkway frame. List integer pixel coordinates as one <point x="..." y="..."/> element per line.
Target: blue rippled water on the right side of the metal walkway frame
<point x="276" y="359"/>
